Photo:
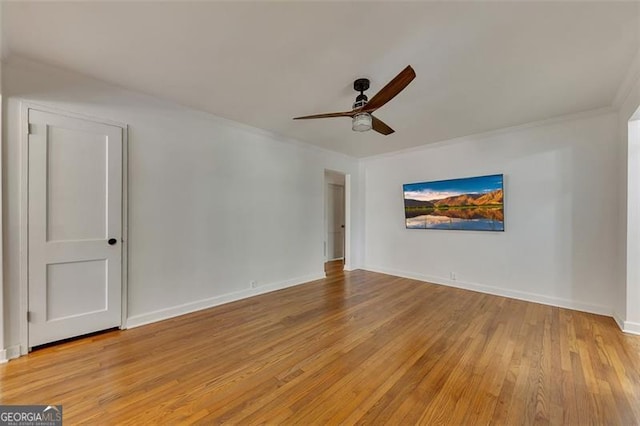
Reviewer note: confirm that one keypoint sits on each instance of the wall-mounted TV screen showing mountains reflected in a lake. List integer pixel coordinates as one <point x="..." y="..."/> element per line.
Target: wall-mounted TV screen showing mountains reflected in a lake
<point x="472" y="204"/>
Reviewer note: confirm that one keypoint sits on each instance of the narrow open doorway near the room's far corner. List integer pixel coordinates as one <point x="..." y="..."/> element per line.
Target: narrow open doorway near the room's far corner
<point x="334" y="241"/>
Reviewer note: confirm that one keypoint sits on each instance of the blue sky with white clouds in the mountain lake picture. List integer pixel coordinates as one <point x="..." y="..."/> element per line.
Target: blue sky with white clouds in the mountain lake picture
<point x="427" y="191"/>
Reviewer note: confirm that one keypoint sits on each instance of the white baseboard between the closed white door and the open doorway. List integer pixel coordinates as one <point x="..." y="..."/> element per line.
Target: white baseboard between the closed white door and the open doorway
<point x="186" y="308"/>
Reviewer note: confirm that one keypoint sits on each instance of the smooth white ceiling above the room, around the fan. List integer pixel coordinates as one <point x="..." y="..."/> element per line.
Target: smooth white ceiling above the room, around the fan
<point x="480" y="65"/>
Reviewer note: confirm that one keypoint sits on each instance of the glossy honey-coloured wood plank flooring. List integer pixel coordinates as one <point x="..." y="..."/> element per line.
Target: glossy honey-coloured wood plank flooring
<point x="355" y="348"/>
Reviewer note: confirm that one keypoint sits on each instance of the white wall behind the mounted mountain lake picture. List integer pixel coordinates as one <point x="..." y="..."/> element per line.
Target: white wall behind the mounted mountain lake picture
<point x="561" y="205"/>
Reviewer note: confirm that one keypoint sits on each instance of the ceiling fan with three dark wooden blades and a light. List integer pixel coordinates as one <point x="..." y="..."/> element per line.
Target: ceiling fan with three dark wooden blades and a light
<point x="362" y="120"/>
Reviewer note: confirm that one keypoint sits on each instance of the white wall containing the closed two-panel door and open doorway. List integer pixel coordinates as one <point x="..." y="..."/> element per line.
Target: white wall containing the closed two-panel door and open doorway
<point x="213" y="204"/>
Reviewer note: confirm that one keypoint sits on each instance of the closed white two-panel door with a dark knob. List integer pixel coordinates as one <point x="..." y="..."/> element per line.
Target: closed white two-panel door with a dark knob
<point x="74" y="228"/>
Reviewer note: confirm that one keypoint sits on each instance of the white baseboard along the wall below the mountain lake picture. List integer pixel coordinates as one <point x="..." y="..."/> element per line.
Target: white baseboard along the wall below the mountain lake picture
<point x="497" y="291"/>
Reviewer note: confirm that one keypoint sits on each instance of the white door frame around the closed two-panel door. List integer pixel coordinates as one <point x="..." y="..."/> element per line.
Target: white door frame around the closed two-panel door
<point x="25" y="106"/>
